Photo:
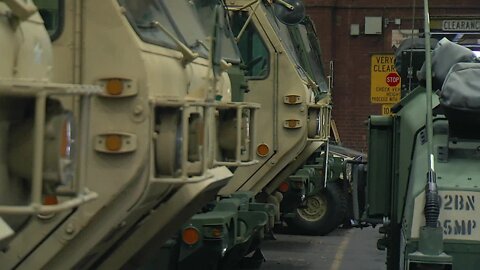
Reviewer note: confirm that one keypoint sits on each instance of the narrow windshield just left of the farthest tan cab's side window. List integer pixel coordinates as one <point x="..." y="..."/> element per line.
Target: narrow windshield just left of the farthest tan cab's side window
<point x="206" y="11"/>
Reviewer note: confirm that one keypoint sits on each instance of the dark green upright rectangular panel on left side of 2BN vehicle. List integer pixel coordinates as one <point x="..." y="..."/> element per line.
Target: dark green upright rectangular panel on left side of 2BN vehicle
<point x="379" y="166"/>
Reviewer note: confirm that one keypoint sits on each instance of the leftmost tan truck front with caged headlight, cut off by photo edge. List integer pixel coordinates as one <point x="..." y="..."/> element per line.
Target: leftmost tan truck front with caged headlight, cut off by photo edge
<point x="40" y="157"/>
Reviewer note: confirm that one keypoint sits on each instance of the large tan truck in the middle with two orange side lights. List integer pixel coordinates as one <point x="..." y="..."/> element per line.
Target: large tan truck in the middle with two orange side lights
<point x="155" y="154"/>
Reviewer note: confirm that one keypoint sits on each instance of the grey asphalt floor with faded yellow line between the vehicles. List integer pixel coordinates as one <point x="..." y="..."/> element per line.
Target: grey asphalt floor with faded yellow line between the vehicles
<point x="343" y="249"/>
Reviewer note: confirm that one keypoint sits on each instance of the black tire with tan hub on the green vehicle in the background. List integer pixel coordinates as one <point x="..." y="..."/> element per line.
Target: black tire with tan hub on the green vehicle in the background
<point x="321" y="213"/>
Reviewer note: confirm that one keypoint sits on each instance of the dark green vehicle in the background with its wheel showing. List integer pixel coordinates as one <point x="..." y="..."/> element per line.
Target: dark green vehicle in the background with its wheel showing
<point x="317" y="201"/>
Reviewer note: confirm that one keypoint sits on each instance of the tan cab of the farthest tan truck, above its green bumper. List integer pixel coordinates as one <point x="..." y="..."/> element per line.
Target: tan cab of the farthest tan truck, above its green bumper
<point x="280" y="84"/>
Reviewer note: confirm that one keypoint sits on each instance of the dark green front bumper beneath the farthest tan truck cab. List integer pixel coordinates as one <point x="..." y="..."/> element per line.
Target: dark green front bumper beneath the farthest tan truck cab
<point x="240" y="220"/>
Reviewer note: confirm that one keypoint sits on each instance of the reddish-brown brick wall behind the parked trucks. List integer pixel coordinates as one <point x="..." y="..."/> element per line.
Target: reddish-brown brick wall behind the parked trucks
<point x="351" y="54"/>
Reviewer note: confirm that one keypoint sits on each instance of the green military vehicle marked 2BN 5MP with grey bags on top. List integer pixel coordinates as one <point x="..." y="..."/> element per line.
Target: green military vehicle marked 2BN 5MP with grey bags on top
<point x="420" y="182"/>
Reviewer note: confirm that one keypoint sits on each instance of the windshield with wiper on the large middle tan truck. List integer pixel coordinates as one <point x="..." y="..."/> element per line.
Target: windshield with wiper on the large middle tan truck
<point x="179" y="17"/>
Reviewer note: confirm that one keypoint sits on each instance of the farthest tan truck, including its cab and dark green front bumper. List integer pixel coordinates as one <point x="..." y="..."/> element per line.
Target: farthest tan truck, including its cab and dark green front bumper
<point x="294" y="120"/>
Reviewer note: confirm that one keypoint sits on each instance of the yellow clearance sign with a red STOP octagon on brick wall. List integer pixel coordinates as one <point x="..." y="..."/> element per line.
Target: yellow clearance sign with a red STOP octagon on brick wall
<point x="385" y="81"/>
